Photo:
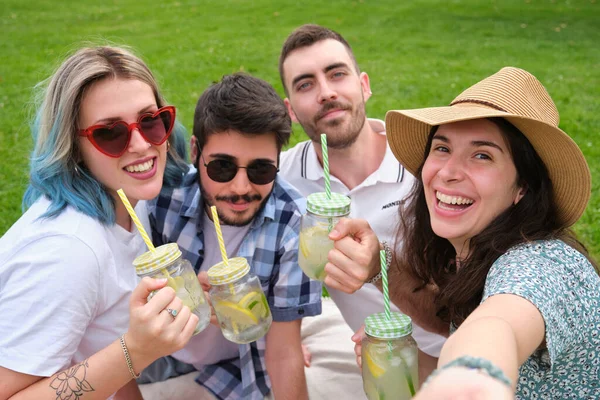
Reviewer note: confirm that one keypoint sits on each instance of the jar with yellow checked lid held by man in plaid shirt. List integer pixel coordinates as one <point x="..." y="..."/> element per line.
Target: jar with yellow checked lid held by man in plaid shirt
<point x="239" y="301"/>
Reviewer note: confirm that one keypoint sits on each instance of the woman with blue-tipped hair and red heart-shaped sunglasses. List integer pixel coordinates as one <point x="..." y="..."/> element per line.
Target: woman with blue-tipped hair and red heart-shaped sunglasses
<point x="75" y="319"/>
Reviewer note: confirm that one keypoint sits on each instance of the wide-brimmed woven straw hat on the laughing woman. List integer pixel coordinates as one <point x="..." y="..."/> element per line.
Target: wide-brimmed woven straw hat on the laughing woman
<point x="518" y="97"/>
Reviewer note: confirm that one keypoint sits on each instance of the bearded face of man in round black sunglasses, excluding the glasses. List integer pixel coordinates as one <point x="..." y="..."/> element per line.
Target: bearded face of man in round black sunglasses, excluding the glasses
<point x="239" y="200"/>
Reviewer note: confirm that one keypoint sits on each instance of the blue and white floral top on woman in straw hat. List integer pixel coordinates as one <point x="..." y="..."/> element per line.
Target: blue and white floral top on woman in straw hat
<point x="565" y="288"/>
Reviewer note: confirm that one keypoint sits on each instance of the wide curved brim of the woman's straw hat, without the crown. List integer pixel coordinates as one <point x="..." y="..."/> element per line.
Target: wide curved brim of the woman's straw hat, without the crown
<point x="408" y="130"/>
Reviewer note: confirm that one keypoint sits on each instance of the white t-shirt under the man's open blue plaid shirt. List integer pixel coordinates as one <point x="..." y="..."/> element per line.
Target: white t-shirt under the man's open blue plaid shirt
<point x="210" y="346"/>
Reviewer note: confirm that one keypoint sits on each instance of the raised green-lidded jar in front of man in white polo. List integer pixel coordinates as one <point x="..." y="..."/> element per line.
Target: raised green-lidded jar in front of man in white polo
<point x="322" y="214"/>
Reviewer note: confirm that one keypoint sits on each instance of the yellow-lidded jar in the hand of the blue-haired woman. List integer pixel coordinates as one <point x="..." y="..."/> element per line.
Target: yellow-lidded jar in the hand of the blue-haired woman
<point x="166" y="262"/>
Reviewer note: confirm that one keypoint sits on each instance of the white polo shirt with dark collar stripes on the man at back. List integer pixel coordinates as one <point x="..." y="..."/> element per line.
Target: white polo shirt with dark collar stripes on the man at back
<point x="376" y="199"/>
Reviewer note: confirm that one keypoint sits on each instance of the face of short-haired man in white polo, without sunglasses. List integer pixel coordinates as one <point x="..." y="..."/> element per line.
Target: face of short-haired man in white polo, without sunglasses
<point x="326" y="93"/>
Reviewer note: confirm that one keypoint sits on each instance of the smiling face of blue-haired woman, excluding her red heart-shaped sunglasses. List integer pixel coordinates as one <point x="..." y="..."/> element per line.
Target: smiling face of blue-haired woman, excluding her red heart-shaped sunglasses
<point x="139" y="171"/>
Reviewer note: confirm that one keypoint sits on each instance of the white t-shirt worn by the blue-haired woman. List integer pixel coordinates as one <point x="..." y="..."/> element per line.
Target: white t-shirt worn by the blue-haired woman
<point x="65" y="284"/>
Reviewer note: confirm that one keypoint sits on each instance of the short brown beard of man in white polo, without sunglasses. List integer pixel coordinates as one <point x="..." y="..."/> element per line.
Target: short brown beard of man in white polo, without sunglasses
<point x="340" y="135"/>
